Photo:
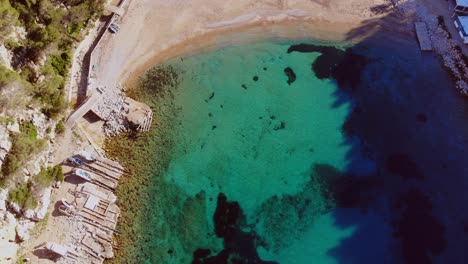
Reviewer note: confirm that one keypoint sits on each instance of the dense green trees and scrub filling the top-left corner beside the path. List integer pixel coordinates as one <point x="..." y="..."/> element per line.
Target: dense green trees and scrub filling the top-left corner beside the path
<point x="52" y="27"/>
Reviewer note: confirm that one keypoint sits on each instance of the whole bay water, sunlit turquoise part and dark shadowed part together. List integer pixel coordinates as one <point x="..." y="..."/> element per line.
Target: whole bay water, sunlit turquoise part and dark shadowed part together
<point x="286" y="165"/>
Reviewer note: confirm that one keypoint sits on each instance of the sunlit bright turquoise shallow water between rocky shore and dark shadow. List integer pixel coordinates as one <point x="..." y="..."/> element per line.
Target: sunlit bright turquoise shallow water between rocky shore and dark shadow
<point x="260" y="141"/>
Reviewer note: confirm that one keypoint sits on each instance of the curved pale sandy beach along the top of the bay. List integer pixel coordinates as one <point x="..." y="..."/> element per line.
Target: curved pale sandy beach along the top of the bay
<point x="152" y="31"/>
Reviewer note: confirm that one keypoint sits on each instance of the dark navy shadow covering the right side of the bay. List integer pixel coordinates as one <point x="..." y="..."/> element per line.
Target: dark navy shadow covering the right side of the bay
<point x="400" y="115"/>
